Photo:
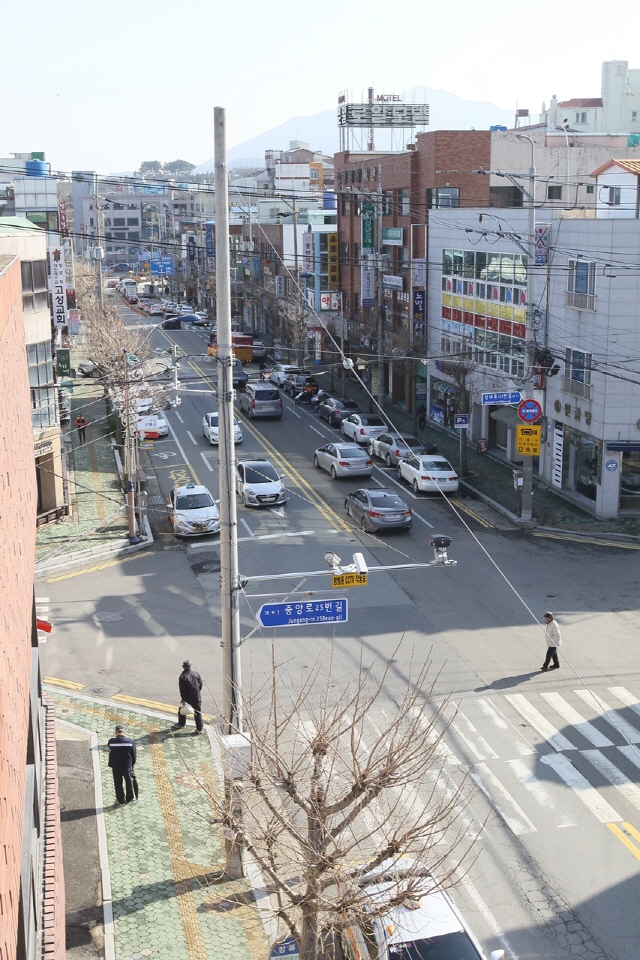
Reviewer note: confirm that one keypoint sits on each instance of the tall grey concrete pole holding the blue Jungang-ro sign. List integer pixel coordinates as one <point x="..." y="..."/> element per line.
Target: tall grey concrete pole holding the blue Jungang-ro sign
<point x="229" y="574"/>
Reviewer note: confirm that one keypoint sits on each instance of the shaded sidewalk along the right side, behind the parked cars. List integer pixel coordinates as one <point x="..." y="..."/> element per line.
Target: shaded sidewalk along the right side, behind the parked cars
<point x="494" y="479"/>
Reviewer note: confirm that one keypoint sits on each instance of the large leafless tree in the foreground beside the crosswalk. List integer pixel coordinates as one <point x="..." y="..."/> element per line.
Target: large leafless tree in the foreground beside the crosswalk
<point x="331" y="797"/>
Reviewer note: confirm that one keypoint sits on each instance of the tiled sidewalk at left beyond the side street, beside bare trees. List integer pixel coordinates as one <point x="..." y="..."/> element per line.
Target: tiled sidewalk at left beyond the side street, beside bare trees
<point x="96" y="519"/>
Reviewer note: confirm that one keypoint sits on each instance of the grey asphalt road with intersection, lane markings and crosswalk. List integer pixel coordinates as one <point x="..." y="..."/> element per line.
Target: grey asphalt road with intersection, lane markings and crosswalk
<point x="551" y="773"/>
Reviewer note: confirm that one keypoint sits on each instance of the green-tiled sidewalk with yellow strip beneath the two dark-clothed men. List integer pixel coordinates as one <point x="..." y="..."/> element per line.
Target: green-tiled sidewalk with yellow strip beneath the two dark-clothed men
<point x="165" y="857"/>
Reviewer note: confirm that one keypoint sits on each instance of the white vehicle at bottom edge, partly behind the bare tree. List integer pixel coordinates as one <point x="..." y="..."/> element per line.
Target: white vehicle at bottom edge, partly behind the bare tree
<point x="425" y="926"/>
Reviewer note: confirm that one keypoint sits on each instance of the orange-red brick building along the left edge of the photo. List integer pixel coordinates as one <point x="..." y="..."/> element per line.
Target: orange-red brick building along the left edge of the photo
<point x="31" y="879"/>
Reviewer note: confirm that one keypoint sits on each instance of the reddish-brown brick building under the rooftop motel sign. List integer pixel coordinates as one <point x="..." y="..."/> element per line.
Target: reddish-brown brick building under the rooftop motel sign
<point x="434" y="172"/>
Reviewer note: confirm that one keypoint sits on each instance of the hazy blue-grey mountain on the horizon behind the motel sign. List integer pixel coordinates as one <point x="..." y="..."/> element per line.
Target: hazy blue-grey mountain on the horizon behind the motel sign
<point x="320" y="131"/>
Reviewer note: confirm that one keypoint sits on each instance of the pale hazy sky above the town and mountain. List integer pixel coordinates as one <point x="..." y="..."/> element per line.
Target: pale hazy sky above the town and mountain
<point x="102" y="86"/>
